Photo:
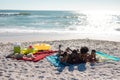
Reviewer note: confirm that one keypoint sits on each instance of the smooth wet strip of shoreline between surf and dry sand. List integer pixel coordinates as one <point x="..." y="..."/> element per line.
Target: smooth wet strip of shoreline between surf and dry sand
<point x="31" y="37"/>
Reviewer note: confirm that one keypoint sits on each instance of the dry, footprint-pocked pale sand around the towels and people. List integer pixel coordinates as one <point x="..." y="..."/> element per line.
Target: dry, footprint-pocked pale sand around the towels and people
<point x="11" y="69"/>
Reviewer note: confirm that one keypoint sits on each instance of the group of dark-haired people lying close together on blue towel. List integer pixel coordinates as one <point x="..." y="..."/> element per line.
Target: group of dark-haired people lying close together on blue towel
<point x="76" y="56"/>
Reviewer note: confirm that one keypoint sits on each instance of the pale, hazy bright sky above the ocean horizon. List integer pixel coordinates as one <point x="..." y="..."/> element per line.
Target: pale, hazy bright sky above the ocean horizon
<point x="60" y="4"/>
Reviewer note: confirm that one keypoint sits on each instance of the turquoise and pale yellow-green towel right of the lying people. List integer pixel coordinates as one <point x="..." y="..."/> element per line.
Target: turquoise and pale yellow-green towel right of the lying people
<point x="107" y="56"/>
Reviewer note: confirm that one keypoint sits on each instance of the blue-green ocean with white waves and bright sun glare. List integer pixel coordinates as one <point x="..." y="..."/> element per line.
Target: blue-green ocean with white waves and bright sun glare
<point x="25" y="21"/>
